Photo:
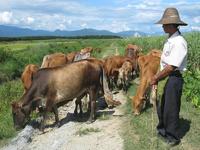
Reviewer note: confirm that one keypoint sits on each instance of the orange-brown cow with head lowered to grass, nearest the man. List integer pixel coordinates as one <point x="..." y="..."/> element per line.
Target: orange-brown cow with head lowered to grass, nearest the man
<point x="148" y="65"/>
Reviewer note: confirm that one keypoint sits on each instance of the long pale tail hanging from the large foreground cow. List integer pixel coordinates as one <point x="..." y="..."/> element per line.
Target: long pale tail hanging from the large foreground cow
<point x="107" y="93"/>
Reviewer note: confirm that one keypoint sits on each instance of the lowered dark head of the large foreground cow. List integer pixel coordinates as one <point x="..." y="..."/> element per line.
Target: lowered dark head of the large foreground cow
<point x="20" y="114"/>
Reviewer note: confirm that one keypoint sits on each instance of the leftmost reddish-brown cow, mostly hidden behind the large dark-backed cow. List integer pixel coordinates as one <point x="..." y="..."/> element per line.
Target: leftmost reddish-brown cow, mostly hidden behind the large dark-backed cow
<point x="27" y="75"/>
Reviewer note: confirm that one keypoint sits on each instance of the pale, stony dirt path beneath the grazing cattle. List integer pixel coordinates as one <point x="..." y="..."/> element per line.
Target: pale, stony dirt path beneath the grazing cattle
<point x="76" y="134"/>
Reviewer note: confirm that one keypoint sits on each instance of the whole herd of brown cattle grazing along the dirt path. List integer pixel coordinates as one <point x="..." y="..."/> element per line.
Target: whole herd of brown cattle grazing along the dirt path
<point x="64" y="77"/>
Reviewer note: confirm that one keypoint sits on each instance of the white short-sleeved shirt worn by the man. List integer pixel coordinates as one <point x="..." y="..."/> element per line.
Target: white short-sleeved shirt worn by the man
<point x="174" y="52"/>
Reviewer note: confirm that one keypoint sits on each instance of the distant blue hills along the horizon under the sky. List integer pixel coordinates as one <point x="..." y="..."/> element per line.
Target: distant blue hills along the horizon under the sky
<point x="11" y="31"/>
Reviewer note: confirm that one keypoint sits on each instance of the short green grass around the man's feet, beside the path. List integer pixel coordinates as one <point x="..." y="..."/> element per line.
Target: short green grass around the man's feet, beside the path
<point x="139" y="132"/>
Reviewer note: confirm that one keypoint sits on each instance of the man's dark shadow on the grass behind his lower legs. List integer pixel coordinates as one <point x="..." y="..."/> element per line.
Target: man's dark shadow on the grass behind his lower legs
<point x="184" y="127"/>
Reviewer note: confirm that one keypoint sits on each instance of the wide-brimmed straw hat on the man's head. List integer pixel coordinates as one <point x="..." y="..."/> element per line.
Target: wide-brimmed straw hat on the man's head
<point x="171" y="16"/>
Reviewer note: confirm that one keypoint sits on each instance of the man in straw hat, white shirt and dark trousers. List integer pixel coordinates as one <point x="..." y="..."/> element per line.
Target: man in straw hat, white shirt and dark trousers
<point x="172" y="63"/>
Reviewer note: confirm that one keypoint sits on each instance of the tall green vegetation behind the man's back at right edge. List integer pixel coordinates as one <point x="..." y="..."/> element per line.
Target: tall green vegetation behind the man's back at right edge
<point x="192" y="75"/>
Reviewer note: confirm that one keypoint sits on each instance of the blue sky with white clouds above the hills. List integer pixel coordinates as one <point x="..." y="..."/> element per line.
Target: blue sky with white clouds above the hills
<point x="113" y="15"/>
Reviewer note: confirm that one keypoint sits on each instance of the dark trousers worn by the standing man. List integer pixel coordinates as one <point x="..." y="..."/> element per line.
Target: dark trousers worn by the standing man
<point x="168" y="111"/>
